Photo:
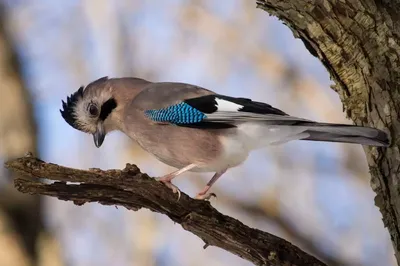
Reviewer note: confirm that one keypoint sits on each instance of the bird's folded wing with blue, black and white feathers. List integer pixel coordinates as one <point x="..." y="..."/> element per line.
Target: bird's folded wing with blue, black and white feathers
<point x="217" y="110"/>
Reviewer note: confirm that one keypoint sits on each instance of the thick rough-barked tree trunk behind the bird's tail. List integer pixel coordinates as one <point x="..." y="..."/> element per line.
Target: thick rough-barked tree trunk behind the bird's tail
<point x="358" y="42"/>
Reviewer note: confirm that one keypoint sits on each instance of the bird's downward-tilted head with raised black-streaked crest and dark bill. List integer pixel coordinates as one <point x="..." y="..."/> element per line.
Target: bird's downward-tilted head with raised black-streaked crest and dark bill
<point x="90" y="109"/>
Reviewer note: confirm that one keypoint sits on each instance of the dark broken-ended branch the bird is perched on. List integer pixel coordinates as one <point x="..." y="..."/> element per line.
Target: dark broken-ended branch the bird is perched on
<point x="133" y="190"/>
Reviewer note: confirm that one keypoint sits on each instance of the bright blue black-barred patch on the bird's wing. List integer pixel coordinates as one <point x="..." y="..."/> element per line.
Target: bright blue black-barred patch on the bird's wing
<point x="181" y="113"/>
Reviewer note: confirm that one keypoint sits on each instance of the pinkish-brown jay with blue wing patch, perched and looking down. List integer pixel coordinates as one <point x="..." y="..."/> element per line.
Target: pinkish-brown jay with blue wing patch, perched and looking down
<point x="192" y="128"/>
